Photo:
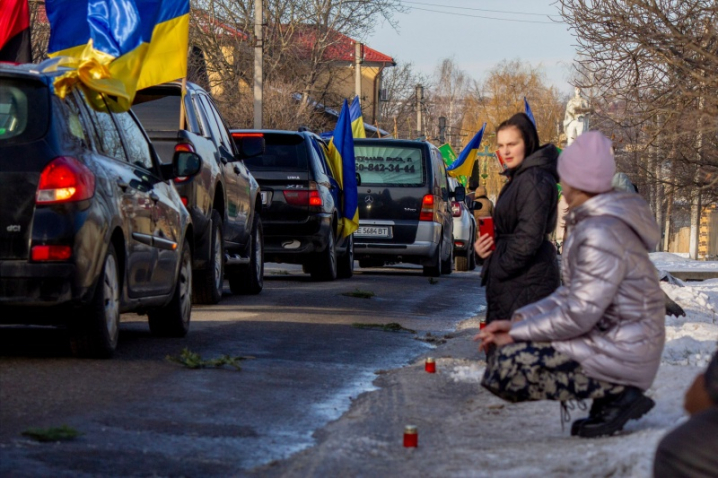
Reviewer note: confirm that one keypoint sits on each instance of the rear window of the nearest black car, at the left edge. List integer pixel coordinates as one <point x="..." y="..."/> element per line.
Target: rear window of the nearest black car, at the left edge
<point x="24" y="110"/>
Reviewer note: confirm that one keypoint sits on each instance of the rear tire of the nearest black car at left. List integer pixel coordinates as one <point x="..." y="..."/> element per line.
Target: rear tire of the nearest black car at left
<point x="95" y="332"/>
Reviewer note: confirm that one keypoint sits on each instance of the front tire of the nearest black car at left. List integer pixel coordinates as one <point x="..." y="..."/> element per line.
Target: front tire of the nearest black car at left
<point x="173" y="319"/>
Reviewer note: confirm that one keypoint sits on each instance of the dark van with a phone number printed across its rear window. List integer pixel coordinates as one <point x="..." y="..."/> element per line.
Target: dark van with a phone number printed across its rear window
<point x="404" y="205"/>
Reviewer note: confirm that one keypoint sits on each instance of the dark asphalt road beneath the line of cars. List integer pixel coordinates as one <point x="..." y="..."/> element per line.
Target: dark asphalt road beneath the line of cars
<point x="143" y="415"/>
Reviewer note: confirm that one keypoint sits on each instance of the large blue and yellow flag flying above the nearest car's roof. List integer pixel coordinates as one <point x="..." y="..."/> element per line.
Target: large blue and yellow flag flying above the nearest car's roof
<point x="117" y="47"/>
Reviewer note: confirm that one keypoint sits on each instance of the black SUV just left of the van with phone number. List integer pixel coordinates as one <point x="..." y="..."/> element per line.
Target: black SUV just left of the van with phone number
<point x="300" y="203"/>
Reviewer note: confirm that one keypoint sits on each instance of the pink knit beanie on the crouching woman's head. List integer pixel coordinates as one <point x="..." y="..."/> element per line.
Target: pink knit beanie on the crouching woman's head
<point x="588" y="164"/>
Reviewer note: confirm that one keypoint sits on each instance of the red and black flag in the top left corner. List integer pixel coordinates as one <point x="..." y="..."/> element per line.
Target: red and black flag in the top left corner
<point x="15" y="31"/>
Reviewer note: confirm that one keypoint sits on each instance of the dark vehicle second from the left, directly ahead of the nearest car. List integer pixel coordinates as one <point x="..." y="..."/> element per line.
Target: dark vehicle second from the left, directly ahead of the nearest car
<point x="223" y="199"/>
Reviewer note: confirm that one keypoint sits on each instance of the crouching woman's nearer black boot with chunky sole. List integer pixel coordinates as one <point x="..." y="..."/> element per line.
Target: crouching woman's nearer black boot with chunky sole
<point x="614" y="412"/>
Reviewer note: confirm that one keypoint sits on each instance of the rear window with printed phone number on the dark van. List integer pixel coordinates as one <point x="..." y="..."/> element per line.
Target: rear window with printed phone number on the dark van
<point x="380" y="165"/>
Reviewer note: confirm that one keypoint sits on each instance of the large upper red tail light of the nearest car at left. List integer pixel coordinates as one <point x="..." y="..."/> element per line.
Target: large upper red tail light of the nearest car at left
<point x="65" y="179"/>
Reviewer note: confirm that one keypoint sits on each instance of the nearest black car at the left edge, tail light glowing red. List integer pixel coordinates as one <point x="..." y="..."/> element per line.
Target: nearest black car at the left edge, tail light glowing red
<point x="91" y="225"/>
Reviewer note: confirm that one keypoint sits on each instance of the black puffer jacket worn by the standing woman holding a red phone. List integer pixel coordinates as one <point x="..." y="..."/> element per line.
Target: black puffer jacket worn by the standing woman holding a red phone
<point x="523" y="267"/>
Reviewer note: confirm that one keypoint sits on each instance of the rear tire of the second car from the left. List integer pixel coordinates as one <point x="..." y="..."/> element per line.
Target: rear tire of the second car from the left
<point x="208" y="283"/>
